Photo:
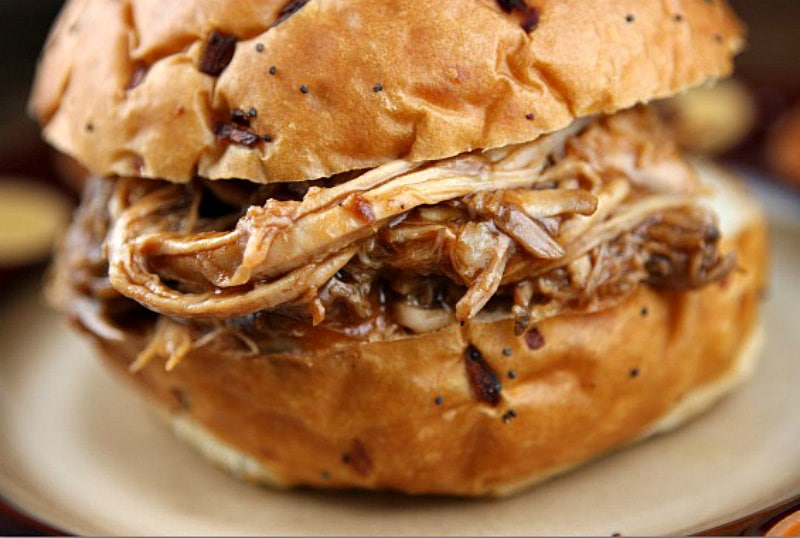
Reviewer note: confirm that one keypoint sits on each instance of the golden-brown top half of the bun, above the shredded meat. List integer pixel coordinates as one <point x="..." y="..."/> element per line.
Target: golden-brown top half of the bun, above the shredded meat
<point x="176" y="89"/>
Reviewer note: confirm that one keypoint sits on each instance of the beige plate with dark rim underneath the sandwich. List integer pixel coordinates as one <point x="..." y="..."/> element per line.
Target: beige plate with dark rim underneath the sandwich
<point x="80" y="452"/>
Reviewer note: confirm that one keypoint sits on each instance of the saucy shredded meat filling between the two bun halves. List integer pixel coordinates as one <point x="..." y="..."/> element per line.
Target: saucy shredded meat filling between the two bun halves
<point x="572" y="222"/>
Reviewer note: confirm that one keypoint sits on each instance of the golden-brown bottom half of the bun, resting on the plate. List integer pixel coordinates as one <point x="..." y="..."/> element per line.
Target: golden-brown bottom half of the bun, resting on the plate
<point x="341" y="413"/>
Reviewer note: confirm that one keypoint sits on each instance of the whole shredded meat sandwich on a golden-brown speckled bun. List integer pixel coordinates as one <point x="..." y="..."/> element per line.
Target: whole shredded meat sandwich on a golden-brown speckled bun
<point x="419" y="245"/>
